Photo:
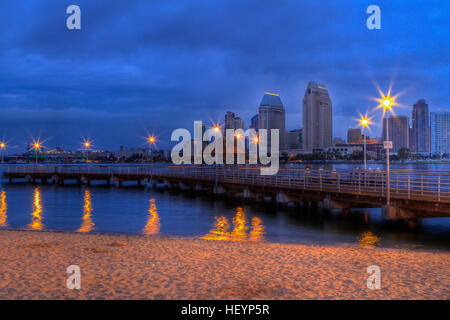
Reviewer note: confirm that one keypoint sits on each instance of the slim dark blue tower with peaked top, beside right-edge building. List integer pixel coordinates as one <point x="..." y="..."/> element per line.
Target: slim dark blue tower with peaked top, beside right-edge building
<point x="420" y="127"/>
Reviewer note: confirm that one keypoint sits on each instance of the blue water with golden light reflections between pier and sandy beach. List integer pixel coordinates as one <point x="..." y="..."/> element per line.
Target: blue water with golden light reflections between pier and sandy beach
<point x="149" y="212"/>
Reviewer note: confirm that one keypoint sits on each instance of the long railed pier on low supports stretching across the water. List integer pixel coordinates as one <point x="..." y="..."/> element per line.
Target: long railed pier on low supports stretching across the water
<point x="414" y="194"/>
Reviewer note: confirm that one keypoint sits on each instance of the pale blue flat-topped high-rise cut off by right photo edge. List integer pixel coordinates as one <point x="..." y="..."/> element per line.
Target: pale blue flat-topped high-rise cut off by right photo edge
<point x="440" y="132"/>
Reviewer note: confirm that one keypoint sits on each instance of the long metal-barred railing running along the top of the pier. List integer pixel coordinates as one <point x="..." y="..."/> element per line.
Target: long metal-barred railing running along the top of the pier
<point x="430" y="186"/>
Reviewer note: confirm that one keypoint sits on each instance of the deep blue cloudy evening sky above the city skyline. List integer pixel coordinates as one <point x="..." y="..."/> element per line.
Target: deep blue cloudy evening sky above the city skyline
<point x="153" y="66"/>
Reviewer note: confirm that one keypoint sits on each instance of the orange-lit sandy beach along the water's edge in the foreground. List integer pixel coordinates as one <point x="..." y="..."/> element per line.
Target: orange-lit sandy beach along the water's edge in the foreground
<point x="33" y="266"/>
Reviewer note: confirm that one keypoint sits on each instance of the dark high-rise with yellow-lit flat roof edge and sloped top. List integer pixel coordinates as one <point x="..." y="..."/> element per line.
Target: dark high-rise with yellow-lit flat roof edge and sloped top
<point x="272" y="116"/>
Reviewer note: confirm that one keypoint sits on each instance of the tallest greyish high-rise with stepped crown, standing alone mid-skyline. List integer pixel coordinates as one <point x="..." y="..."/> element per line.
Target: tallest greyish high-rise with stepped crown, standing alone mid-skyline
<point x="317" y="117"/>
